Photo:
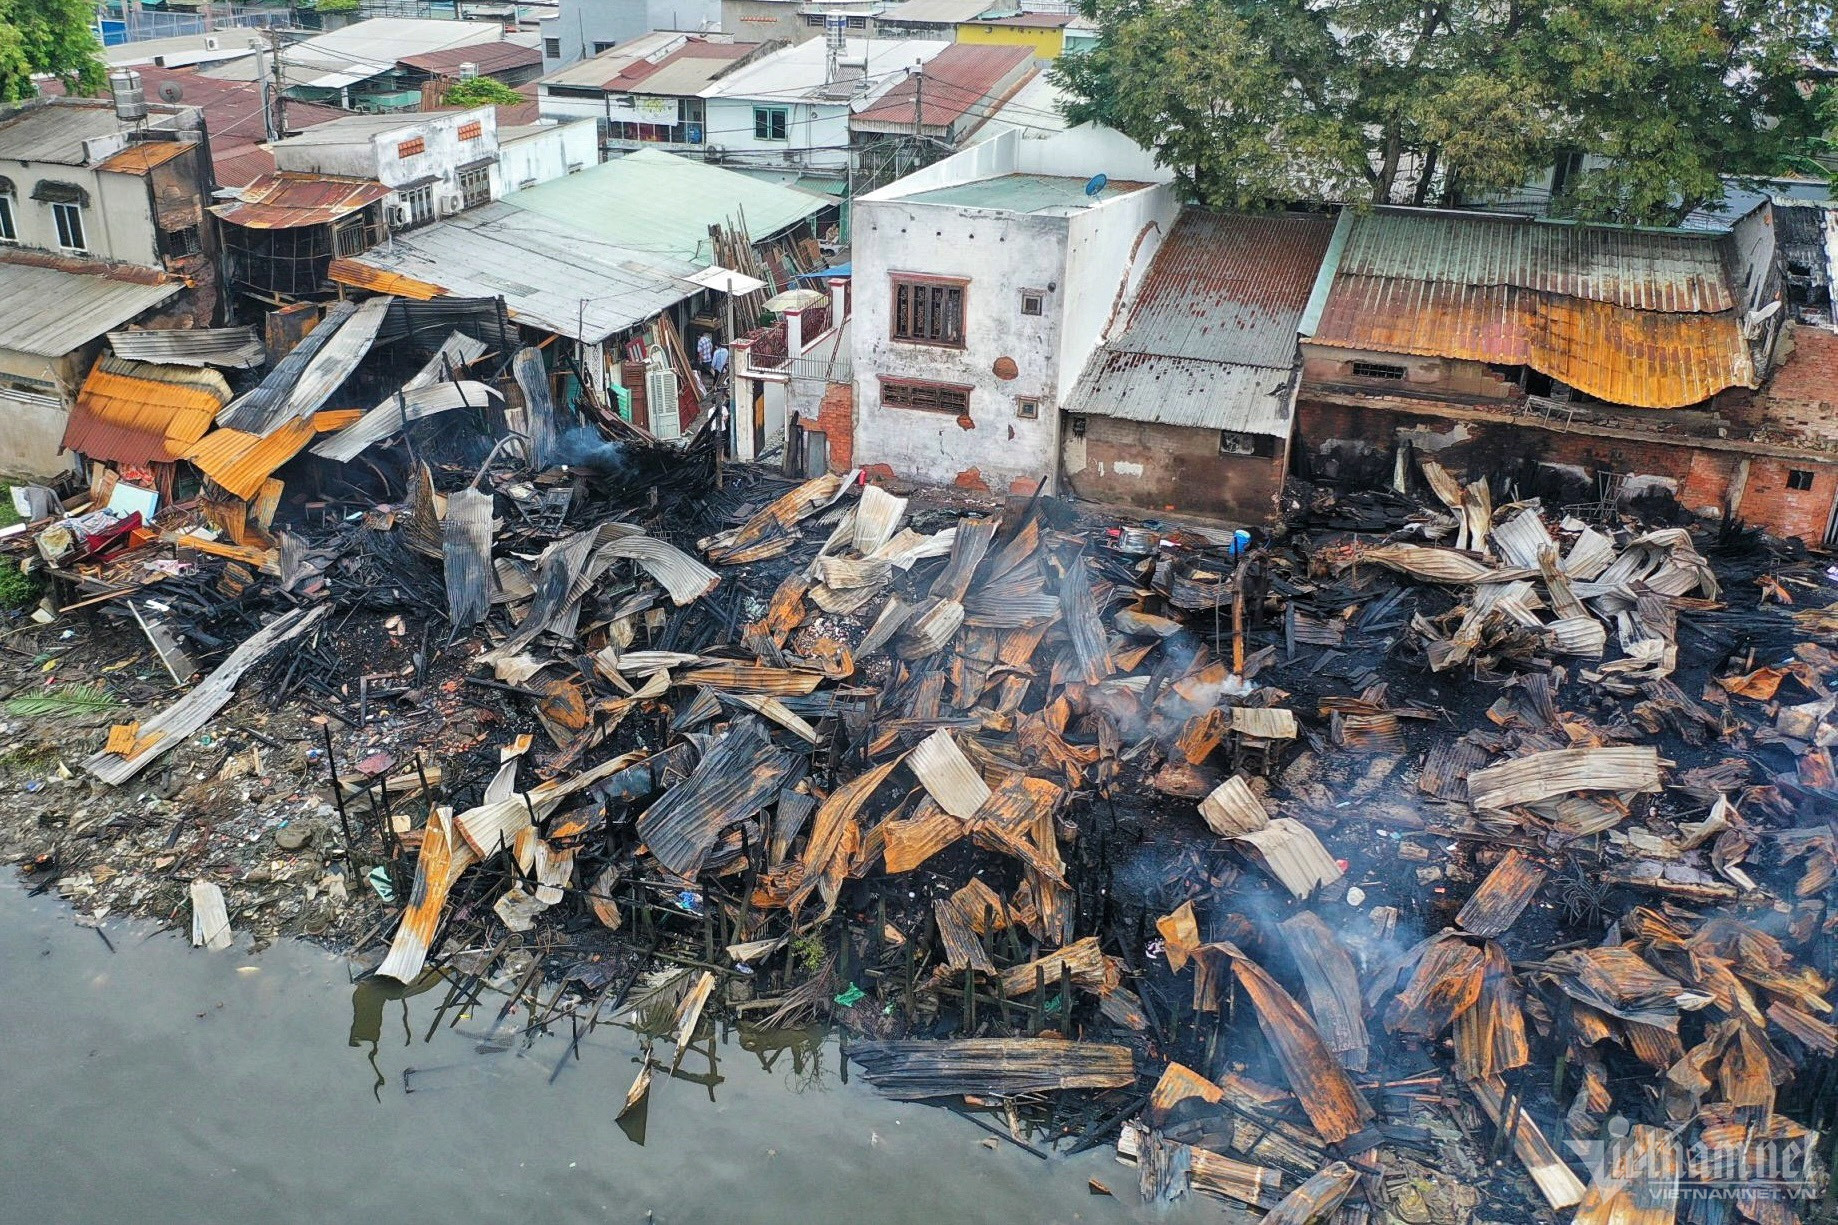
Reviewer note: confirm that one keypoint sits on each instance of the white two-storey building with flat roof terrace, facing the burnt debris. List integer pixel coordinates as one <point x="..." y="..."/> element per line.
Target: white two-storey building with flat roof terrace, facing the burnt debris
<point x="982" y="284"/>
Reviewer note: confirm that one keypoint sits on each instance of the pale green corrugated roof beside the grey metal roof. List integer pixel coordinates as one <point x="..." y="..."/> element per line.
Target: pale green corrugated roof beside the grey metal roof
<point x="657" y="201"/>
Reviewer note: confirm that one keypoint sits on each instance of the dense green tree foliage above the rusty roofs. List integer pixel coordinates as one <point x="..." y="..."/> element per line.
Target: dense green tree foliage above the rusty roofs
<point x="1254" y="102"/>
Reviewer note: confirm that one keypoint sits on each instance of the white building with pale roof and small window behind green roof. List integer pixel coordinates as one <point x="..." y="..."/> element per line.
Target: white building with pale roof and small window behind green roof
<point x="791" y="109"/>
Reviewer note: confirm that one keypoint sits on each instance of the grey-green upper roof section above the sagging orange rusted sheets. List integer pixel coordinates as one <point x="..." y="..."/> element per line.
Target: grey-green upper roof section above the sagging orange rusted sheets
<point x="1644" y="269"/>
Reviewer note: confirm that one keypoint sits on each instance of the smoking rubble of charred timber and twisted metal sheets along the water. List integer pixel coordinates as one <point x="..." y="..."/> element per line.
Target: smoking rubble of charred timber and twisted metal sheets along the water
<point x="1348" y="875"/>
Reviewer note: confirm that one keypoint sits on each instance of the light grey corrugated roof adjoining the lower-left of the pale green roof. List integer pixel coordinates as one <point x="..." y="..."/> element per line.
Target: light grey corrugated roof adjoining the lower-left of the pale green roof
<point x="549" y="273"/>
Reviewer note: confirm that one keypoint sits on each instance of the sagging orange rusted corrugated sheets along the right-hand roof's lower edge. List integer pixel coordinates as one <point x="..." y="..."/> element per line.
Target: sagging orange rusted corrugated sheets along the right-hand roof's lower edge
<point x="1644" y="360"/>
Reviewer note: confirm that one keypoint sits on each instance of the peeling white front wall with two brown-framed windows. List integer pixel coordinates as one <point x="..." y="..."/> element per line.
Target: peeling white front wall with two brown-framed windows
<point x="999" y="255"/>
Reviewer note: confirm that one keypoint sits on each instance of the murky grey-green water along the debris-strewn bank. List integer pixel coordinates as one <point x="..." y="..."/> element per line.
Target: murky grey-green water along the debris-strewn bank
<point x="165" y="1084"/>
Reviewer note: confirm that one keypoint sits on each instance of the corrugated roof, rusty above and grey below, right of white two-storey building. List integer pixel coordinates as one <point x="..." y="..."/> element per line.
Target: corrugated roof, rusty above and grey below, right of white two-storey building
<point x="1210" y="338"/>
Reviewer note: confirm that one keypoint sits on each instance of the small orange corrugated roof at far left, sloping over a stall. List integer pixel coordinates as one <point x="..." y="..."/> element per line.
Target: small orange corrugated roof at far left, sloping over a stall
<point x="139" y="413"/>
